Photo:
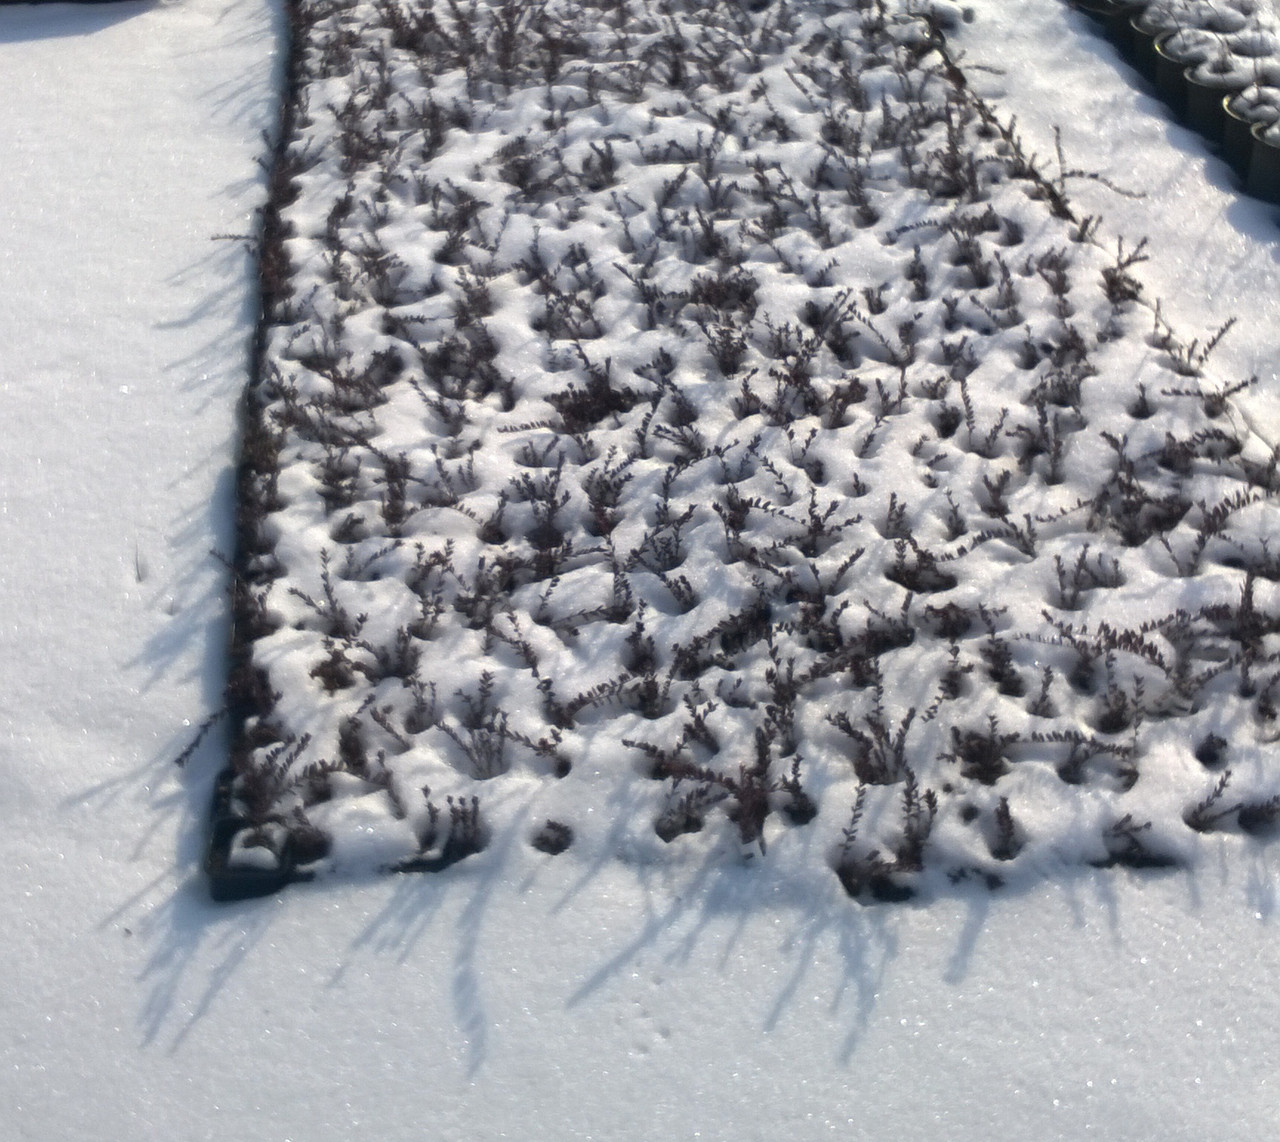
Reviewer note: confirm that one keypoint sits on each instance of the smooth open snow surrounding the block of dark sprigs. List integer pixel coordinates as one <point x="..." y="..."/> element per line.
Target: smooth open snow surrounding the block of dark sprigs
<point x="609" y="1002"/>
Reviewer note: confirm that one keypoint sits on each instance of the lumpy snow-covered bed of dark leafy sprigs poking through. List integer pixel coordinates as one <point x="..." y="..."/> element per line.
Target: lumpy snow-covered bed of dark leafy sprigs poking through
<point x="792" y="313"/>
